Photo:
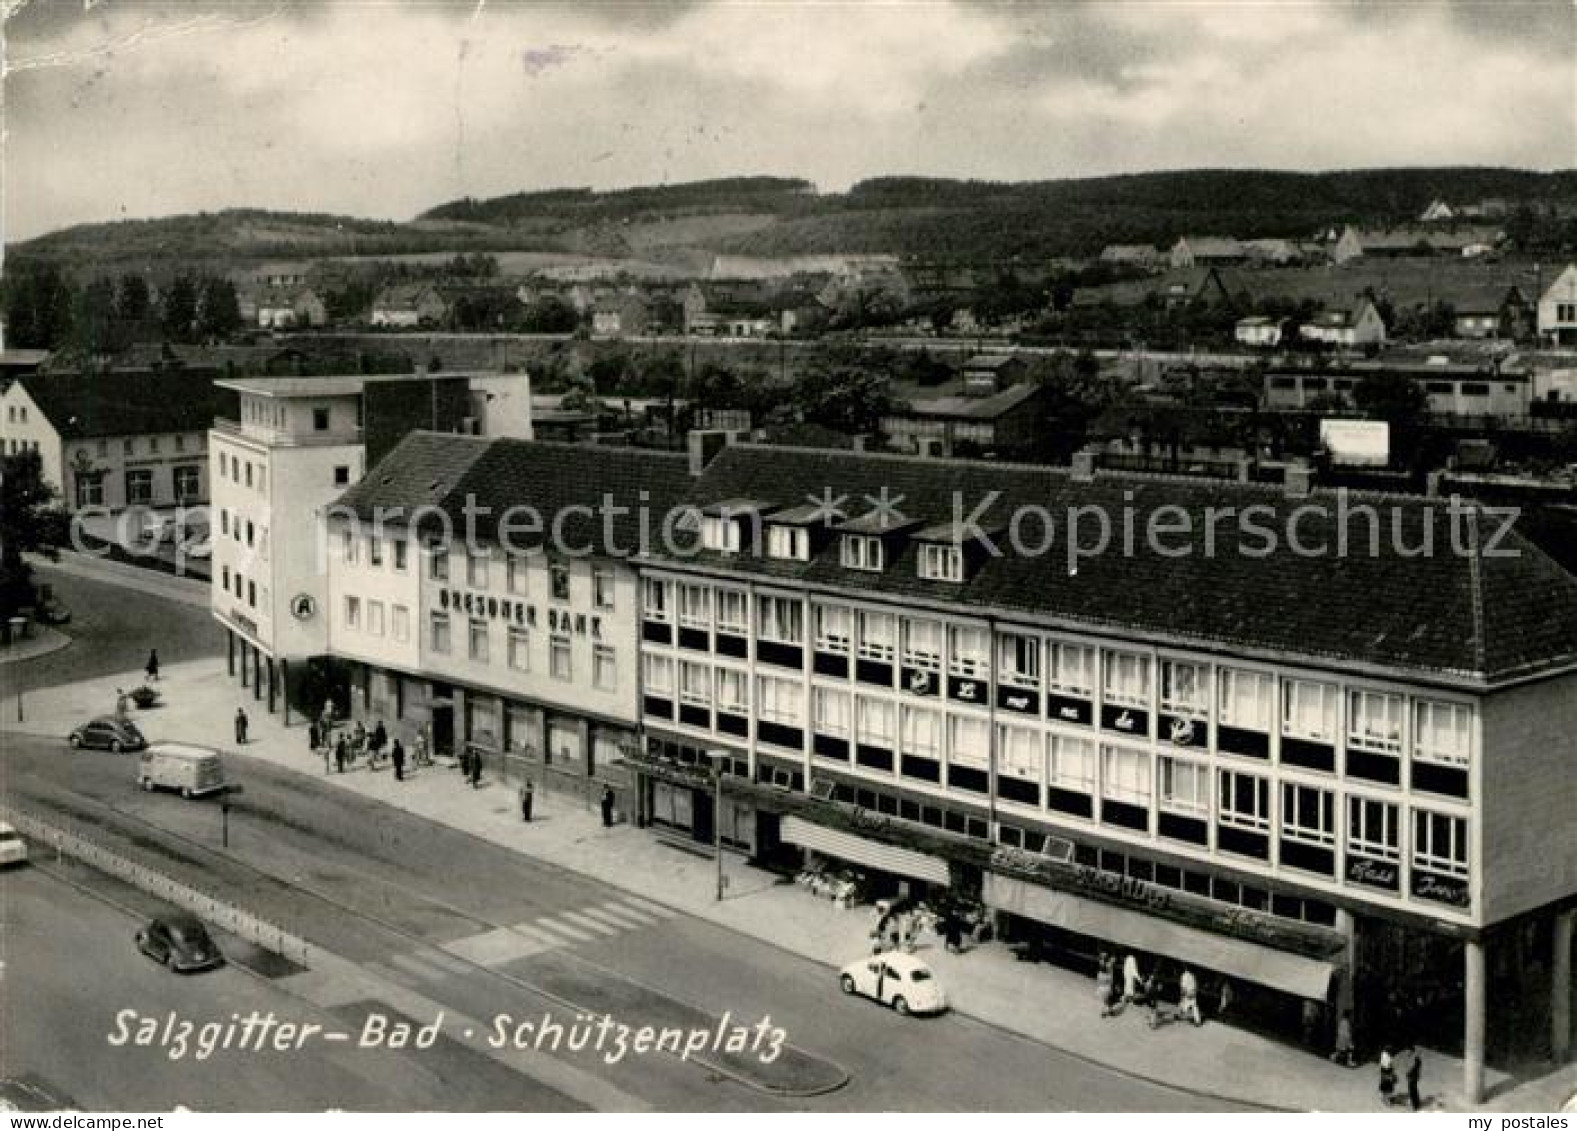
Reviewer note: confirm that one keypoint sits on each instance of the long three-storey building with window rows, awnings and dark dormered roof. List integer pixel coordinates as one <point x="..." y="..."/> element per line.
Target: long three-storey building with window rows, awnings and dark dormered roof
<point x="1316" y="761"/>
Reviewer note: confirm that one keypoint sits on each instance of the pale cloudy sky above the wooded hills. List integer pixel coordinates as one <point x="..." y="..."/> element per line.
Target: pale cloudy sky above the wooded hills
<point x="382" y="110"/>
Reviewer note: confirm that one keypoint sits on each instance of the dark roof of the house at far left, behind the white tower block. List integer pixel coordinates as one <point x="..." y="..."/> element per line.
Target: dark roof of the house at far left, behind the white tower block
<point x="143" y="403"/>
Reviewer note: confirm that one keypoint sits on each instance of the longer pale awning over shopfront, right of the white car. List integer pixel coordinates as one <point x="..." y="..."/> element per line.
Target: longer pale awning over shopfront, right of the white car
<point x="1264" y="966"/>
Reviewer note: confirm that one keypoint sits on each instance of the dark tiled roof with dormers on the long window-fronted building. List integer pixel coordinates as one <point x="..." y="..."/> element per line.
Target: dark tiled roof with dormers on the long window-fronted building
<point x="1482" y="618"/>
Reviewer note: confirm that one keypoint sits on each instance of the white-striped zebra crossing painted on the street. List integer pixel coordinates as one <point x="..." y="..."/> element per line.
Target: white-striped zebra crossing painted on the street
<point x="501" y="946"/>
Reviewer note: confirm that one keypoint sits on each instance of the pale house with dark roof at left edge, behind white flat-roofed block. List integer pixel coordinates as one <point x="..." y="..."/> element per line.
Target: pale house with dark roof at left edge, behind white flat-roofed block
<point x="116" y="441"/>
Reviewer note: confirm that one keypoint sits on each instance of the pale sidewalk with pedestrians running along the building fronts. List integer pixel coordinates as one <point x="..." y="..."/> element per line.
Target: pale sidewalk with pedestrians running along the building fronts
<point x="1040" y="1002"/>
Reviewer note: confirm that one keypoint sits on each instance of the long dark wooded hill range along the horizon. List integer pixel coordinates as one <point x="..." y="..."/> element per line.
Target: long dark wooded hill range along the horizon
<point x="786" y="217"/>
